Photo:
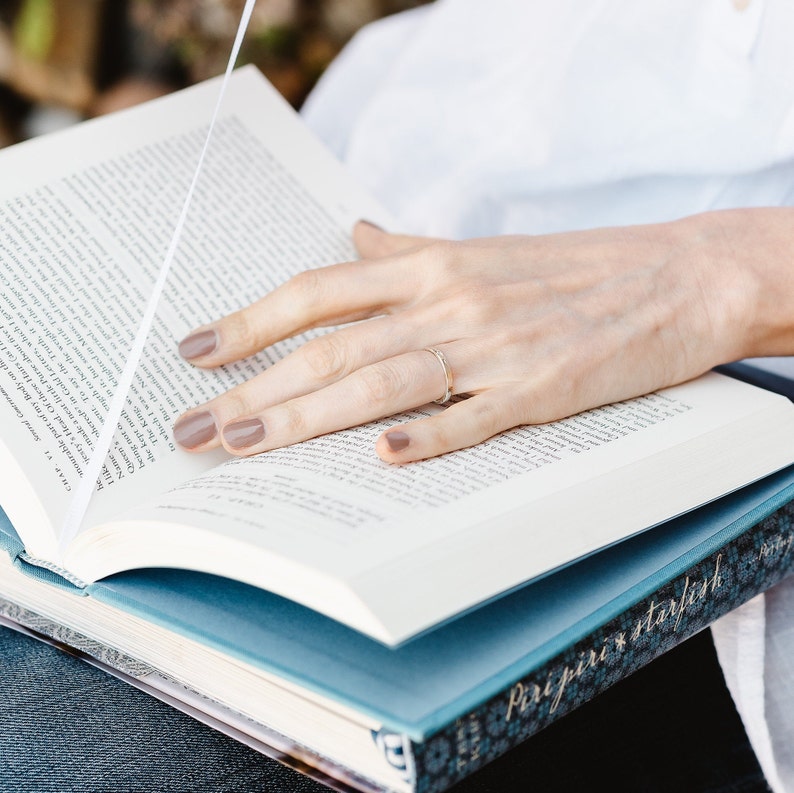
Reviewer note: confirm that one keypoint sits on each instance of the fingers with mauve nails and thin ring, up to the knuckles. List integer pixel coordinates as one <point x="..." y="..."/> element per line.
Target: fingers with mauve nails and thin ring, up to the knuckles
<point x="362" y="372"/>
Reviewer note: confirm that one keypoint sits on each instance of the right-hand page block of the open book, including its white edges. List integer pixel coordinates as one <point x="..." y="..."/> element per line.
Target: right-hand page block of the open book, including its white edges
<point x="448" y="532"/>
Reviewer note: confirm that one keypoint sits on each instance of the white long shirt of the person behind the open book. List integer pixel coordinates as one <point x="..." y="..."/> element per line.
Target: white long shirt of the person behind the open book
<point x="520" y="116"/>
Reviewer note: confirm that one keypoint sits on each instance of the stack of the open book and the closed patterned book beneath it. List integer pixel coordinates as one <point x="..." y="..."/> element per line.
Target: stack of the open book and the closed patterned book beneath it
<point x="314" y="599"/>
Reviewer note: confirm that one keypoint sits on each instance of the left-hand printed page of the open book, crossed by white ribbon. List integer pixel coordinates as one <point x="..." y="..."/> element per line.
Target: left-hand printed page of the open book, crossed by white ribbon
<point x="79" y="254"/>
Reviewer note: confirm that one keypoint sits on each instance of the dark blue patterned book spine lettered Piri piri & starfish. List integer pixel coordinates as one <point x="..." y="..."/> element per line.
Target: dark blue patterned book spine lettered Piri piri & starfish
<point x="711" y="587"/>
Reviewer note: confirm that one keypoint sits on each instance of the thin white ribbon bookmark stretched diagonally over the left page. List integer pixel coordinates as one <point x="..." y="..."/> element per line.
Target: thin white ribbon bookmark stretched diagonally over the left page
<point x="93" y="469"/>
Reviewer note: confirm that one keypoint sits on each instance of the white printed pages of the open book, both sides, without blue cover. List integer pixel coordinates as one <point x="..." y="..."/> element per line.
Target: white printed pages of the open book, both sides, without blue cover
<point x="85" y="220"/>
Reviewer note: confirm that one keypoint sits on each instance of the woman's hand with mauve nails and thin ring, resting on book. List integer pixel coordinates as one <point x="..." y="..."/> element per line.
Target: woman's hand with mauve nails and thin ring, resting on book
<point x="533" y="328"/>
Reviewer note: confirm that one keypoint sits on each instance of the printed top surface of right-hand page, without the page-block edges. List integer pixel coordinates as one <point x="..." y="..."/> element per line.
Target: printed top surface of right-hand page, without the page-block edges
<point x="330" y="504"/>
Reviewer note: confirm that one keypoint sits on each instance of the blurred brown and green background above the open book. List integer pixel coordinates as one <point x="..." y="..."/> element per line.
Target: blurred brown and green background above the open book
<point x="64" y="60"/>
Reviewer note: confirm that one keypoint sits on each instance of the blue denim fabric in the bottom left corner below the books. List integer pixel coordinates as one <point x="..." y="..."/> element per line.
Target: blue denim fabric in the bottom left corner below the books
<point x="67" y="726"/>
